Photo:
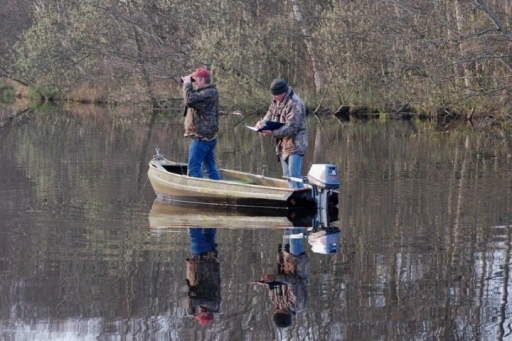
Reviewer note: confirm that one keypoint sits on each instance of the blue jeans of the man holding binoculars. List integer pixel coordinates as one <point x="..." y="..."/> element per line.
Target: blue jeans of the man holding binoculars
<point x="202" y="153"/>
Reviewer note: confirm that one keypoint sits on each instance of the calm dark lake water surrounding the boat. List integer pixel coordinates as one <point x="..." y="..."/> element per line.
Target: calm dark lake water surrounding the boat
<point x="425" y="221"/>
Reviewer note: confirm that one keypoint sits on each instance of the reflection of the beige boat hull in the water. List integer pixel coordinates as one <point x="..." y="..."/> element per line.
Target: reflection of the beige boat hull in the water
<point x="167" y="213"/>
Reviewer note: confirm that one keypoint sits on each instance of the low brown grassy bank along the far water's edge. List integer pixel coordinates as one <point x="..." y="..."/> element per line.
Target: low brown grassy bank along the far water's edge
<point x="477" y="112"/>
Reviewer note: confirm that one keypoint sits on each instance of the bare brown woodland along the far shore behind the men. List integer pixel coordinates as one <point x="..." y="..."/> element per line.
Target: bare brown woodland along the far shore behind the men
<point x="432" y="57"/>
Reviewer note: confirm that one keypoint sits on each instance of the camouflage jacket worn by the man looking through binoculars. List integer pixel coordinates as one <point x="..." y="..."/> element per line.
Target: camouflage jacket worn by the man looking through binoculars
<point x="202" y="118"/>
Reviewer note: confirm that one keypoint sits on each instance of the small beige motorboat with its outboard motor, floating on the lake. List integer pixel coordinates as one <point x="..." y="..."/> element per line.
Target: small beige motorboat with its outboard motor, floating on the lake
<point x="169" y="180"/>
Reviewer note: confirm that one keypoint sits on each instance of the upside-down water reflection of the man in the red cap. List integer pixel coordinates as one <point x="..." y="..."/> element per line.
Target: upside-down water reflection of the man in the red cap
<point x="203" y="276"/>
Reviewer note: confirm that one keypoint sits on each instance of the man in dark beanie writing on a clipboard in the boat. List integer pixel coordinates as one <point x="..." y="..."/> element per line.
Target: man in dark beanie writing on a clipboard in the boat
<point x="292" y="138"/>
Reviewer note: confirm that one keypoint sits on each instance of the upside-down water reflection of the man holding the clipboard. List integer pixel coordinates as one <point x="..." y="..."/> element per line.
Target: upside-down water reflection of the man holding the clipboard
<point x="288" y="287"/>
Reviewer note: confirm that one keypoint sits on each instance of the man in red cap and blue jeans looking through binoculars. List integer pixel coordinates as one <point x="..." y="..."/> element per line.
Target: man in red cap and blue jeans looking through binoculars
<point x="201" y="122"/>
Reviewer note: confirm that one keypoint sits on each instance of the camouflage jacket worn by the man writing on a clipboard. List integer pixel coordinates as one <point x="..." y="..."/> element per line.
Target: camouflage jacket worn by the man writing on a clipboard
<point x="292" y="138"/>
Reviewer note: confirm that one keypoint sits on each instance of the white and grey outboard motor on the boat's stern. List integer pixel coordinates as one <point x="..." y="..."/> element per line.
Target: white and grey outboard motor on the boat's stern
<point x="324" y="179"/>
